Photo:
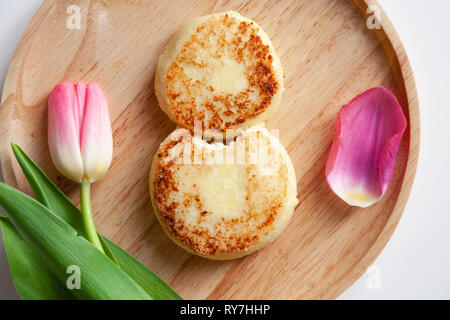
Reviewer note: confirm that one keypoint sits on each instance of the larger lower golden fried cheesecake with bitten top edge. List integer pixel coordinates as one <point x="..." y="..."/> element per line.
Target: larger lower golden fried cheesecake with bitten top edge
<point x="223" y="201"/>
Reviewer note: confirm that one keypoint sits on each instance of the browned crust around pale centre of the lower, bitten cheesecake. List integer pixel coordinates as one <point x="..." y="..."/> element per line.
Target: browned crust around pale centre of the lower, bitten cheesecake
<point x="266" y="204"/>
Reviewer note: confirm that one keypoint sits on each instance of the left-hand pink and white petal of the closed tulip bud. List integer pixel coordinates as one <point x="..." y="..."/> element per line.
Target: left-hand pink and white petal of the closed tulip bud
<point x="63" y="135"/>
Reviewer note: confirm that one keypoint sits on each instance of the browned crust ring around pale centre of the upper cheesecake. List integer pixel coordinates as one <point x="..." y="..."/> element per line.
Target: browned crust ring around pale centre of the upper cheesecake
<point x="191" y="99"/>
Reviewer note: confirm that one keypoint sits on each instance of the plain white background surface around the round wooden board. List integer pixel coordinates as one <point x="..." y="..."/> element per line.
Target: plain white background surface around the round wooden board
<point x="415" y="264"/>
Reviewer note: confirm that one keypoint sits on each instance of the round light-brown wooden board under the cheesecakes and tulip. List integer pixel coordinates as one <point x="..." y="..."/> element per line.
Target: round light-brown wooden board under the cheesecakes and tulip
<point x="329" y="56"/>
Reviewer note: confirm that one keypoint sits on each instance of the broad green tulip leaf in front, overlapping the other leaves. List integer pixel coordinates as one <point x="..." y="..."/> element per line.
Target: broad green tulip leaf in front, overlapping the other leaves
<point x="63" y="250"/>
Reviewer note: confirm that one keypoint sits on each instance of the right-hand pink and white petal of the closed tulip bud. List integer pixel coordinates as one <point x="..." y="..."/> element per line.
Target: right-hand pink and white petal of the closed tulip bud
<point x="96" y="134"/>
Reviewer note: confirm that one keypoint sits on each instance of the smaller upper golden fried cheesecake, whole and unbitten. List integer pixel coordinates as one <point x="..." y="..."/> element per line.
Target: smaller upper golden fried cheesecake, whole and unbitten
<point x="220" y="70"/>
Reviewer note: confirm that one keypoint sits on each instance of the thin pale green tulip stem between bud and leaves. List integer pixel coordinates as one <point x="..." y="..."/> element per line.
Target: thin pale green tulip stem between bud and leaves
<point x="86" y="213"/>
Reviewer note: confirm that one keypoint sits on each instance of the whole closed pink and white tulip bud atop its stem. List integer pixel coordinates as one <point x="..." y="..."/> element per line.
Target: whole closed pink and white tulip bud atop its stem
<point x="79" y="131"/>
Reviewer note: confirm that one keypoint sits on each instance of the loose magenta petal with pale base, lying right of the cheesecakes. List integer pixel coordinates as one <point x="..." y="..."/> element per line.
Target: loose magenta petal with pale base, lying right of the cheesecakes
<point x="367" y="138"/>
